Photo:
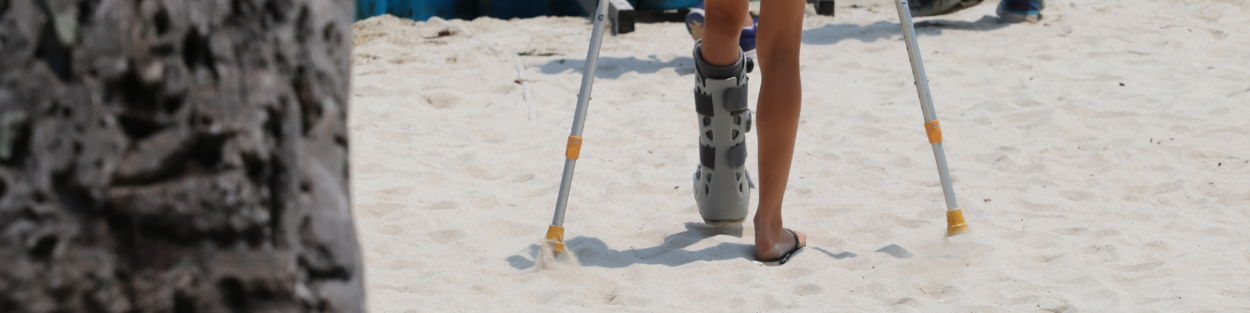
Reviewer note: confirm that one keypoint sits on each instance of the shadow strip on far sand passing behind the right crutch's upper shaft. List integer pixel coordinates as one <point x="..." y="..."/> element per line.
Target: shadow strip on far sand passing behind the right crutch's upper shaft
<point x="836" y="33"/>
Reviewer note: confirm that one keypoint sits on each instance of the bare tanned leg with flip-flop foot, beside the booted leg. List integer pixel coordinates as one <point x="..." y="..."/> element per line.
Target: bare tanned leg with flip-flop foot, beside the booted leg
<point x="781" y="33"/>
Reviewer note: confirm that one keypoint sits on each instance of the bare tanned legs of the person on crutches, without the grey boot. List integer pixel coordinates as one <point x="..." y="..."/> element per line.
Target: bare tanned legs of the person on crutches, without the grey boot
<point x="781" y="95"/>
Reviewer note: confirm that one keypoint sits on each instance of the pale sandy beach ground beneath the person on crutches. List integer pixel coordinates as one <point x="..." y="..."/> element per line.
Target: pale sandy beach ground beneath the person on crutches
<point x="1102" y="160"/>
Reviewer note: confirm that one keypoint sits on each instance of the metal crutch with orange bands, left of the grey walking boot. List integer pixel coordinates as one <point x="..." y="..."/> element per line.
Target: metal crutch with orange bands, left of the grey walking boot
<point x="556" y="232"/>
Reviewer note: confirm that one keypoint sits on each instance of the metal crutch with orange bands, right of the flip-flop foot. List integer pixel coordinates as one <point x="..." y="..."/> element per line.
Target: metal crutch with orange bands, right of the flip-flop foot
<point x="956" y="223"/>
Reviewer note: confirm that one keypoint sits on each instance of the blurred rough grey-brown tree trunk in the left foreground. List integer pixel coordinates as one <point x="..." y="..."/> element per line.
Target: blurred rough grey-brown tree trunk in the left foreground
<point x="171" y="156"/>
